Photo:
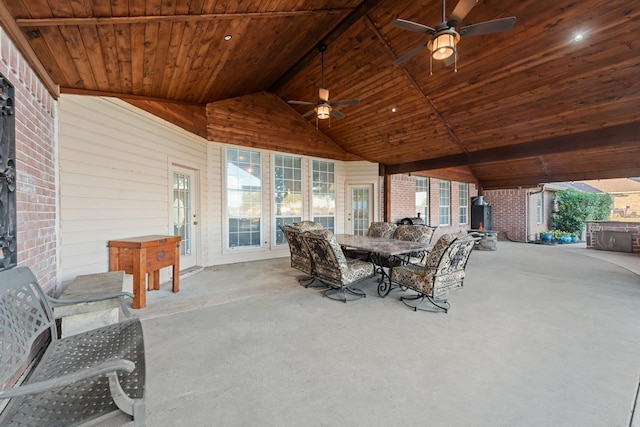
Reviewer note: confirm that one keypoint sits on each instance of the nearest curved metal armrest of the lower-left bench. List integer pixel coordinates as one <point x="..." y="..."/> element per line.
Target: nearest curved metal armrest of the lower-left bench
<point x="42" y="386"/>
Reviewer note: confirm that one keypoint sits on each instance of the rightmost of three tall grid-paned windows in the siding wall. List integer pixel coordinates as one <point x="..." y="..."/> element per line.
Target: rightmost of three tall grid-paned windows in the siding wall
<point x="323" y="196"/>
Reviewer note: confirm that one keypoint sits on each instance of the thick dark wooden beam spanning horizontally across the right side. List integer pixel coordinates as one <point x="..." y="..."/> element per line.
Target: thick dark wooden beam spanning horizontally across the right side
<point x="613" y="136"/>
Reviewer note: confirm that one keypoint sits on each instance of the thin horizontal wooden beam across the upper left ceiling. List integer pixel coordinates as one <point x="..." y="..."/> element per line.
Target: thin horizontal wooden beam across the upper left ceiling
<point x="127" y="20"/>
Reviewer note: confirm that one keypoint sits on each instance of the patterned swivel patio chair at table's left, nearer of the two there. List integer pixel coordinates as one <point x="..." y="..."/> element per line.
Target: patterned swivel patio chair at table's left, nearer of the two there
<point x="333" y="268"/>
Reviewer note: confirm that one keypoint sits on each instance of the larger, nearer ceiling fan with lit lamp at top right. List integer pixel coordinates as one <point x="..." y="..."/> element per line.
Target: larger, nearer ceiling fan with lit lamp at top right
<point x="445" y="38"/>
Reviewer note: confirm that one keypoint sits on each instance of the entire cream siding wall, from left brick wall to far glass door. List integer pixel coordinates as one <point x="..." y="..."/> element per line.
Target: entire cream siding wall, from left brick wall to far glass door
<point x="115" y="170"/>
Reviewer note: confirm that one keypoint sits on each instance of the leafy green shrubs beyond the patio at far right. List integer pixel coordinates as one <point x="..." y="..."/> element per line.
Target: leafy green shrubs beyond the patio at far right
<point x="574" y="208"/>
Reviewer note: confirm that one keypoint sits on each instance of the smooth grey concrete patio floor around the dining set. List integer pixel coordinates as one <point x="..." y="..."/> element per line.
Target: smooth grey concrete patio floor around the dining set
<point x="539" y="336"/>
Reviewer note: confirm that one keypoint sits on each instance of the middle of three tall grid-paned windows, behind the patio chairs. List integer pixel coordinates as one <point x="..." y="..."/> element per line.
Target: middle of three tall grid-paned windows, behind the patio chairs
<point x="287" y="181"/>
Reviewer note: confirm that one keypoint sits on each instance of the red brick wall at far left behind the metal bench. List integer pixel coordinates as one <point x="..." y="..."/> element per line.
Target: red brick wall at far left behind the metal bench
<point x="36" y="148"/>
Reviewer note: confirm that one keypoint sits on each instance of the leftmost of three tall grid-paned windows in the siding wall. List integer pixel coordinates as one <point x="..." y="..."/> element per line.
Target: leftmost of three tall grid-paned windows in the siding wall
<point x="244" y="197"/>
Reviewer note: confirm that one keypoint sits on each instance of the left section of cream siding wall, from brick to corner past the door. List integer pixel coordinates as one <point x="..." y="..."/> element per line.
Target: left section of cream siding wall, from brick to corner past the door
<point x="115" y="170"/>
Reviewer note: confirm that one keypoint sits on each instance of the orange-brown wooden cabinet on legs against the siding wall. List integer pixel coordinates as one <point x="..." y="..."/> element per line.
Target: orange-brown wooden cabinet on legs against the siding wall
<point x="142" y="255"/>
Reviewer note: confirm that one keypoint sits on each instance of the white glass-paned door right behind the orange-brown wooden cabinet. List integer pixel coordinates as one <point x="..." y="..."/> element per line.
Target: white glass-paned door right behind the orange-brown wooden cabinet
<point x="185" y="216"/>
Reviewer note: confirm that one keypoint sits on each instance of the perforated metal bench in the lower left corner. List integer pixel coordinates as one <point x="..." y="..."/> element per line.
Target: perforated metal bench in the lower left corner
<point x="93" y="377"/>
